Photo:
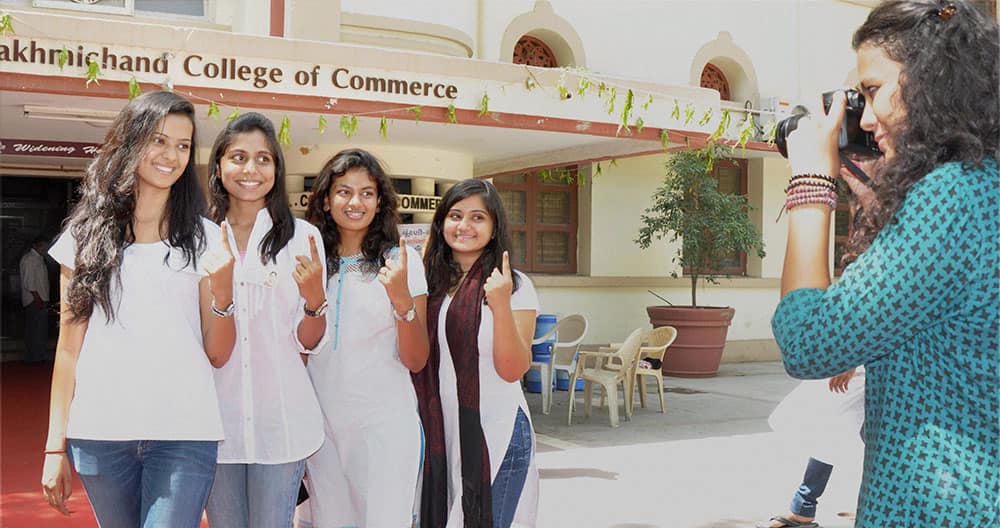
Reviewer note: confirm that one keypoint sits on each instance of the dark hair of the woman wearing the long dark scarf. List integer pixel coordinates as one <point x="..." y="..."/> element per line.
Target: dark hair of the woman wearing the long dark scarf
<point x="442" y="271"/>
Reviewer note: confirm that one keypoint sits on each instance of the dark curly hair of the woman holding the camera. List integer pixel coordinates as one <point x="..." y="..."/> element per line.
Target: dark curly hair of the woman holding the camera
<point x="948" y="88"/>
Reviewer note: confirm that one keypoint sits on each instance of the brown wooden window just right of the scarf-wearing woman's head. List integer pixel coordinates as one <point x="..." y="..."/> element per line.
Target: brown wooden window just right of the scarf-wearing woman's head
<point x="542" y="219"/>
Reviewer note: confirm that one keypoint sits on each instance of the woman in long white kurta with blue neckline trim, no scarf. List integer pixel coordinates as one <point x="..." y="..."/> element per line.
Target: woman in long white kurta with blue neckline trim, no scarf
<point x="366" y="473"/>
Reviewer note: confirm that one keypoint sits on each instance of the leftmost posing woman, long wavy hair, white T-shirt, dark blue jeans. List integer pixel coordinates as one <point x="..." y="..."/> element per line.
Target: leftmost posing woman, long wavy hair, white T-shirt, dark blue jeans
<point x="133" y="405"/>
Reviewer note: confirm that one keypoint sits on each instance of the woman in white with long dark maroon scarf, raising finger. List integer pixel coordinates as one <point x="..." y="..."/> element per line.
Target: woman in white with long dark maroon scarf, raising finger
<point x="481" y="316"/>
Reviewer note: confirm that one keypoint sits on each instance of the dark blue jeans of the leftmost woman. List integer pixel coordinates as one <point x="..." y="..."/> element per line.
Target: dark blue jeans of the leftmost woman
<point x="145" y="483"/>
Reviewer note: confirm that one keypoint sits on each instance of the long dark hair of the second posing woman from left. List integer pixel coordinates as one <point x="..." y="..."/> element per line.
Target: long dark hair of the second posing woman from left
<point x="282" y="221"/>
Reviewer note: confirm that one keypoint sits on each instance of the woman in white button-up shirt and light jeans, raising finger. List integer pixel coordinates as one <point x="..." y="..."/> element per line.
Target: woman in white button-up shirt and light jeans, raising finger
<point x="270" y="414"/>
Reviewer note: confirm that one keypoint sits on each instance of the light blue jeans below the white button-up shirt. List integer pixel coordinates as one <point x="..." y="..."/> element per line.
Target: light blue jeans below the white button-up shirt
<point x="254" y="495"/>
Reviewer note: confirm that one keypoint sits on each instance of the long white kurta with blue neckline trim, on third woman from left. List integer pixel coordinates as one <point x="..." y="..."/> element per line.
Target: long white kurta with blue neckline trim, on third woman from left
<point x="366" y="474"/>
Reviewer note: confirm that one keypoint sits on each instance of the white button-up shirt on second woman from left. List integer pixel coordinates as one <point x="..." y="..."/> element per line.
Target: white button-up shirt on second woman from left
<point x="269" y="410"/>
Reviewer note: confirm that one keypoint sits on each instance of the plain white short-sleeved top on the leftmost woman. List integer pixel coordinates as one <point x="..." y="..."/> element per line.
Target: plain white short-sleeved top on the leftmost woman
<point x="145" y="375"/>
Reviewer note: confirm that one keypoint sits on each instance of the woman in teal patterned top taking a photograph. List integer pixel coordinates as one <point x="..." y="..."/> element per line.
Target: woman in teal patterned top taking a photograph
<point x="918" y="306"/>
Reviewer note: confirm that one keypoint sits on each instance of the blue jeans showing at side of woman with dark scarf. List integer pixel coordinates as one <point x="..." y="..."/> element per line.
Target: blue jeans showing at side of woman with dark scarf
<point x="509" y="483"/>
